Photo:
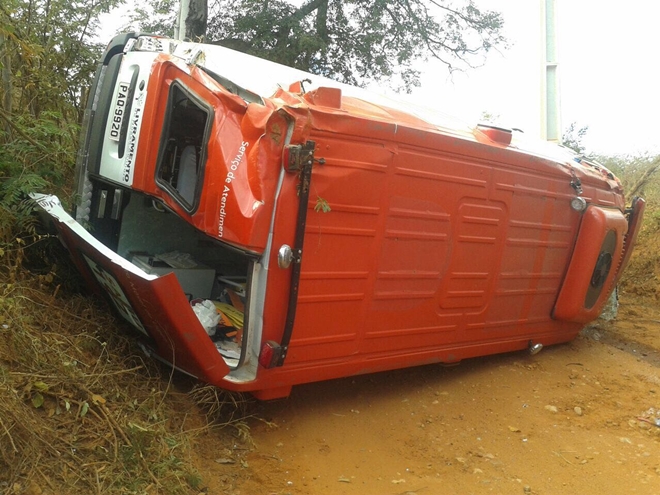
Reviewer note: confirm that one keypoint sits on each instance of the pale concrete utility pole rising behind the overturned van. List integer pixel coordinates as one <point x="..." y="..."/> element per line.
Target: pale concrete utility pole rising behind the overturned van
<point x="550" y="103"/>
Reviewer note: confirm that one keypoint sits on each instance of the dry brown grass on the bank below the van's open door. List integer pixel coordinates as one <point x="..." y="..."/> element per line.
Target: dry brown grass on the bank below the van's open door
<point x="81" y="411"/>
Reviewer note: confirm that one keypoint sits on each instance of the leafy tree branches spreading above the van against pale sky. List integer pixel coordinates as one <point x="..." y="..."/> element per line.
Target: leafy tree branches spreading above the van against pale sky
<point x="353" y="41"/>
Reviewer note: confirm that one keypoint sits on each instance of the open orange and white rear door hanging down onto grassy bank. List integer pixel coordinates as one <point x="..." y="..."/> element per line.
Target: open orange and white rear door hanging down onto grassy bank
<point x="155" y="306"/>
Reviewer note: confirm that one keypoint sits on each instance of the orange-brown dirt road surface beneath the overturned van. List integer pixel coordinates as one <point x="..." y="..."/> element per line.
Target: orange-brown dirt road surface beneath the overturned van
<point x="576" y="418"/>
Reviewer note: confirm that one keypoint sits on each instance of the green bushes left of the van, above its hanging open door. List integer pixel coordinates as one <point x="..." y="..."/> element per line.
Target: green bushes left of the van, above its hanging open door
<point x="47" y="58"/>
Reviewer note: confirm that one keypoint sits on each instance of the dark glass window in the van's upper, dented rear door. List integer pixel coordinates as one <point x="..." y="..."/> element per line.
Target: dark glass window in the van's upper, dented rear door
<point x="183" y="146"/>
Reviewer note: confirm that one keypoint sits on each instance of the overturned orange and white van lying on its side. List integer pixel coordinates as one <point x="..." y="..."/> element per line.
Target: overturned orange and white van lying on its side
<point x="262" y="227"/>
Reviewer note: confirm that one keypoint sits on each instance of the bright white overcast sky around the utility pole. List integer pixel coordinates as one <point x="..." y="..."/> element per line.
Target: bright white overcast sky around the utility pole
<point x="607" y="74"/>
